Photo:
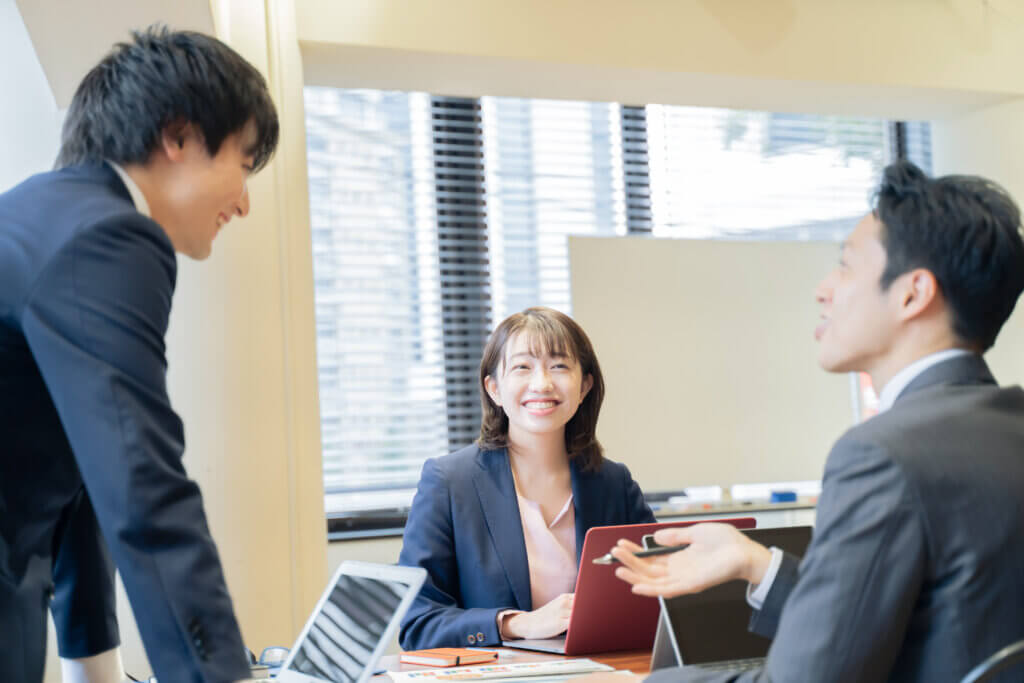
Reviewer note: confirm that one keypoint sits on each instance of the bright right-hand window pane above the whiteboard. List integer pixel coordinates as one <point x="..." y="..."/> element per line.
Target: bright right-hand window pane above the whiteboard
<point x="728" y="175"/>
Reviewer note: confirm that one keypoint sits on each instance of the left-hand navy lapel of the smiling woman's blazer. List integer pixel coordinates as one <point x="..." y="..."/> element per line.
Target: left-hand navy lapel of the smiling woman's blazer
<point x="496" y="490"/>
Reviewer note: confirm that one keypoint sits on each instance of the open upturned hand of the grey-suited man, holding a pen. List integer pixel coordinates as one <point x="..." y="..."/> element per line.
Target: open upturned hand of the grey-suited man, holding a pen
<point x="716" y="554"/>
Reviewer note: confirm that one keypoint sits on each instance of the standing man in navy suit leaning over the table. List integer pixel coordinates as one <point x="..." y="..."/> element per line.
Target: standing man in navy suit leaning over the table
<point x="157" y="148"/>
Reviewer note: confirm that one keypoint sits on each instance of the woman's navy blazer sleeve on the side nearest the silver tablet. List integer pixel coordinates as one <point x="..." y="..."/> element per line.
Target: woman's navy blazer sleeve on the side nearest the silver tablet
<point x="436" y="619"/>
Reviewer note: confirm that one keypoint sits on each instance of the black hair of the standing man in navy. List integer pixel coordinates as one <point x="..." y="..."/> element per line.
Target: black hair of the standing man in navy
<point x="164" y="78"/>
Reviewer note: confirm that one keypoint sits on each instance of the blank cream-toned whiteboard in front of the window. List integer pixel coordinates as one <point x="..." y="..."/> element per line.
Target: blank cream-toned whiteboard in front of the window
<point x="709" y="358"/>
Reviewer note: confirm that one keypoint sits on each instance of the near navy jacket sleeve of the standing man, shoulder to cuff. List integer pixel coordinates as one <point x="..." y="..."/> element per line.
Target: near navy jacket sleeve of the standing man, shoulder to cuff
<point x="96" y="322"/>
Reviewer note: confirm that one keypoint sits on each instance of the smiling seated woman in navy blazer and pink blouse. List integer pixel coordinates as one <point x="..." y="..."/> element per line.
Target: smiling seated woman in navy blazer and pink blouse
<point x="542" y="392"/>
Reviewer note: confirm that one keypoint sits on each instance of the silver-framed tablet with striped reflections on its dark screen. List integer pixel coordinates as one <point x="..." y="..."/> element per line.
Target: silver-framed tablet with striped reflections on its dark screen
<point x="355" y="621"/>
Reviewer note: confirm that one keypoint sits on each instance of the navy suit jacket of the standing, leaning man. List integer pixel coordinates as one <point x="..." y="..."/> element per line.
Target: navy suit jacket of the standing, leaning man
<point x="91" y="449"/>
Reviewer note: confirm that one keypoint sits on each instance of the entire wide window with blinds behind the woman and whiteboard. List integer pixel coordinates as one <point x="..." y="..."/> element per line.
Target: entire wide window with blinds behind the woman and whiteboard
<point x="435" y="218"/>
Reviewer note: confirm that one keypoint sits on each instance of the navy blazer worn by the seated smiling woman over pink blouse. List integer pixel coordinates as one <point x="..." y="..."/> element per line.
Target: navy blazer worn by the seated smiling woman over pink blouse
<point x="464" y="529"/>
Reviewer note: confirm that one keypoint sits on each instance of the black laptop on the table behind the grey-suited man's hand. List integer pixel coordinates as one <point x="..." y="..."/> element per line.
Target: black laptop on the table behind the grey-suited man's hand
<point x="709" y="630"/>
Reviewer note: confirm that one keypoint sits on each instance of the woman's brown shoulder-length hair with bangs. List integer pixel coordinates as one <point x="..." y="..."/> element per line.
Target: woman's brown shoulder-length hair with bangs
<point x="551" y="332"/>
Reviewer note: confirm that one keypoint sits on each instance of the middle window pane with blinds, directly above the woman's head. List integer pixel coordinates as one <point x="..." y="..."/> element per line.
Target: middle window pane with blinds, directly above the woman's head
<point x="553" y="169"/>
